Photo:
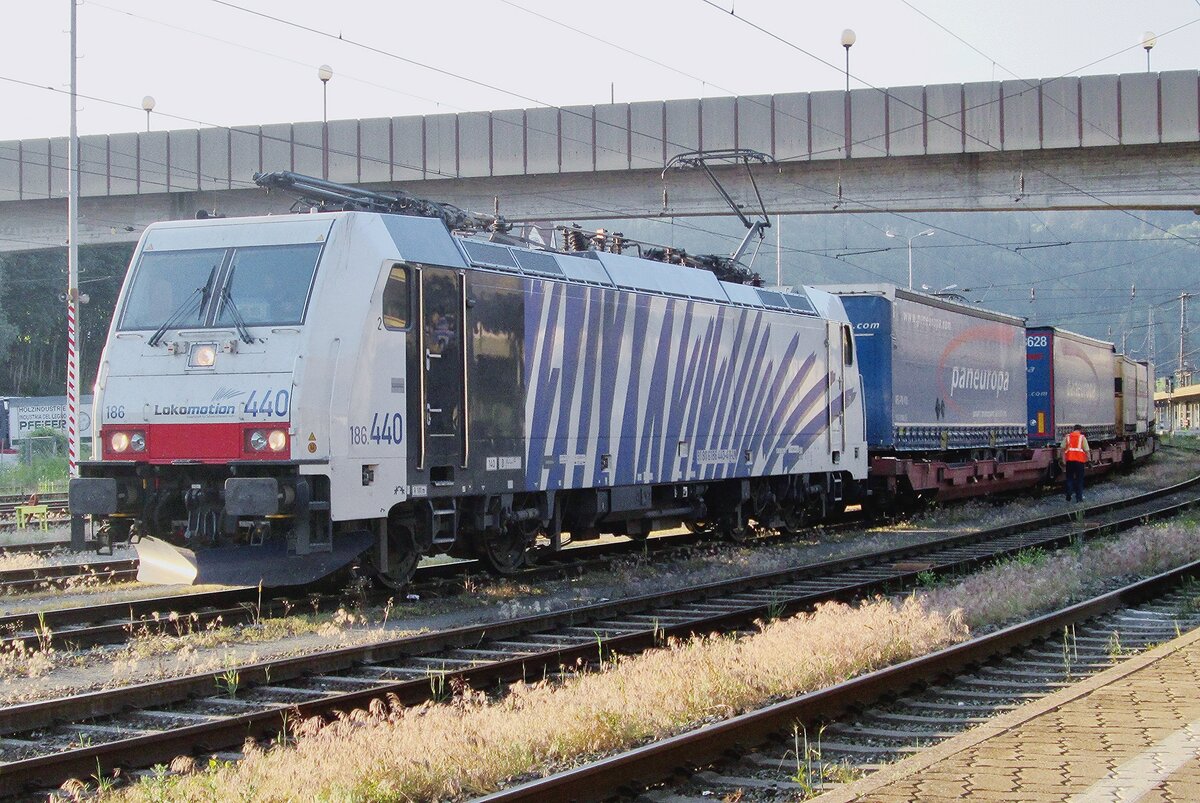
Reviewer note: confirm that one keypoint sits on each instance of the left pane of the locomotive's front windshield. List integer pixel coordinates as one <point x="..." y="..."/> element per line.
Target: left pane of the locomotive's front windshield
<point x="167" y="281"/>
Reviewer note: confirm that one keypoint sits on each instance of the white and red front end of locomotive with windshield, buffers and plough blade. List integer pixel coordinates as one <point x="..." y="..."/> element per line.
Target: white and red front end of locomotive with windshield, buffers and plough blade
<point x="199" y="408"/>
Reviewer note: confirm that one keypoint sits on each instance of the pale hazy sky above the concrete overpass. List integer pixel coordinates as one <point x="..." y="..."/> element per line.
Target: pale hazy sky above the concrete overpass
<point x="214" y="63"/>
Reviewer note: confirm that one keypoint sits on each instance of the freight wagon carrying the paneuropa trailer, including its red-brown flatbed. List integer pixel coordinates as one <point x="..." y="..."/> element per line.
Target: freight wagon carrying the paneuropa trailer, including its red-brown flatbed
<point x="946" y="397"/>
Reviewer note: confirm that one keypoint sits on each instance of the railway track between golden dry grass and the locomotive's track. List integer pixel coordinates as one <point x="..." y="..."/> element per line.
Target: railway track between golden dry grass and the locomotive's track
<point x="141" y="726"/>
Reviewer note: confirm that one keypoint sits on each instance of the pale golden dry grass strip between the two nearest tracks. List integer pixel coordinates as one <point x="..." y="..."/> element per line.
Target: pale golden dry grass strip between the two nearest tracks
<point x="476" y="745"/>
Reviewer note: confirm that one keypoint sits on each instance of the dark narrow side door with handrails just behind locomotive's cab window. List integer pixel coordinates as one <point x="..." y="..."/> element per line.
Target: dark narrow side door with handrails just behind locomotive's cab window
<point x="442" y="368"/>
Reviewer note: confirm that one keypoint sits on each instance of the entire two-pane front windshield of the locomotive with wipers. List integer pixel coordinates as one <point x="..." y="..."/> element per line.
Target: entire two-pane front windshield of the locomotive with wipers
<point x="265" y="285"/>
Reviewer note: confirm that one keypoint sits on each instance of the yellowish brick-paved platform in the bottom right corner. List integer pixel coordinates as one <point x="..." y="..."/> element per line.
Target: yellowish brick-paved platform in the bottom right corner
<point x="1129" y="734"/>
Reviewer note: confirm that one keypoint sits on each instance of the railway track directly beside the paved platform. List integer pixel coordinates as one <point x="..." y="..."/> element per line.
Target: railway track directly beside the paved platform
<point x="987" y="675"/>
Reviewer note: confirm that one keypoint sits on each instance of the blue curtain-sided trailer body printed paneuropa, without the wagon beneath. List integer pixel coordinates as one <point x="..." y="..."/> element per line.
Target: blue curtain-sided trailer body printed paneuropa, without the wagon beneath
<point x="940" y="376"/>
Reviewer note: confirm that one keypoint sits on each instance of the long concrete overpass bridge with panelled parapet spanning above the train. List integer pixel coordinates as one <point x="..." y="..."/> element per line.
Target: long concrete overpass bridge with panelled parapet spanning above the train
<point x="1097" y="142"/>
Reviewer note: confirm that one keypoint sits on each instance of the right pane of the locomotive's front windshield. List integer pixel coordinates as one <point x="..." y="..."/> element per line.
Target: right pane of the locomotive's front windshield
<point x="271" y="285"/>
